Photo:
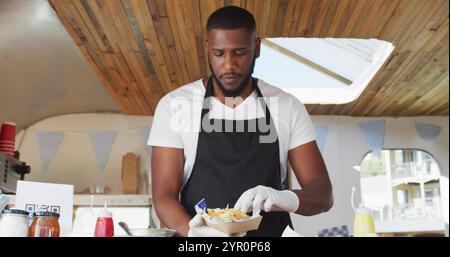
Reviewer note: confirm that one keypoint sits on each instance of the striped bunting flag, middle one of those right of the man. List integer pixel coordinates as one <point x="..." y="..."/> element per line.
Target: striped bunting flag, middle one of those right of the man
<point x="373" y="131"/>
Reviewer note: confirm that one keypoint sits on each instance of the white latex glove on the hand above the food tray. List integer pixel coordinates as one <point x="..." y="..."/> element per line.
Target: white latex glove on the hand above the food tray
<point x="265" y="198"/>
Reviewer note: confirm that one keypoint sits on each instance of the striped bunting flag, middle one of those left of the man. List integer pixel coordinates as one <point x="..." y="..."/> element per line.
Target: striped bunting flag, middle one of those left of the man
<point x="102" y="143"/>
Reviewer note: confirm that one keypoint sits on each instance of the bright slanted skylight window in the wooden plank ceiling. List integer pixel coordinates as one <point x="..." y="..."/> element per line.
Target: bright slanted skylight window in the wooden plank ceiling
<point x="321" y="70"/>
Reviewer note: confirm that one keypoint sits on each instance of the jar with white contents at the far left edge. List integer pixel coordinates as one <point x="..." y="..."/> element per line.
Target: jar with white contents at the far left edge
<point x="14" y="223"/>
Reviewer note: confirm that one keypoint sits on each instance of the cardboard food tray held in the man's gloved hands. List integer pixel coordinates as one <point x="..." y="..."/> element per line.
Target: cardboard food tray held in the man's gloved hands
<point x="236" y="226"/>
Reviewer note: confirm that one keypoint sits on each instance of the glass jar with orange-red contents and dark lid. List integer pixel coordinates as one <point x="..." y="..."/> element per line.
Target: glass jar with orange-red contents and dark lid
<point x="45" y="224"/>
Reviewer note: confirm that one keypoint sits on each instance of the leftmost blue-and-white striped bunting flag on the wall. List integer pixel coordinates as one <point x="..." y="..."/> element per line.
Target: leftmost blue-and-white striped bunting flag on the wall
<point x="48" y="145"/>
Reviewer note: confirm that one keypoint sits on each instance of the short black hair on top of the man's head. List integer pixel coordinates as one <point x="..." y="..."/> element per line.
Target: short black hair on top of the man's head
<point x="231" y="17"/>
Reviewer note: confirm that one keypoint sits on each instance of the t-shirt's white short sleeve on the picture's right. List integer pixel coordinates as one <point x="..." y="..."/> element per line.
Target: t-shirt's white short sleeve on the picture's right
<point x="301" y="127"/>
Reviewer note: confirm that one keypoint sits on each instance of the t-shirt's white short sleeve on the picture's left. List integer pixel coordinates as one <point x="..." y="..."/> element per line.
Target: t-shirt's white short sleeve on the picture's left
<point x="161" y="133"/>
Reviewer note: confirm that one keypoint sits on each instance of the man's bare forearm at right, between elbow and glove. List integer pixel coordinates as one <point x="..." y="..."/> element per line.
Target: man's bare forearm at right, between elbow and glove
<point x="315" y="198"/>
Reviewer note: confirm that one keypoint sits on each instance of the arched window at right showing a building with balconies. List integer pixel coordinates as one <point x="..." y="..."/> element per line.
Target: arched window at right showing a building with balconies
<point x="401" y="185"/>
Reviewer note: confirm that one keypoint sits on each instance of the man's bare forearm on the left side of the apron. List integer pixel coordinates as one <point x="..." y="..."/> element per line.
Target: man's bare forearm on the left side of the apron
<point x="172" y="214"/>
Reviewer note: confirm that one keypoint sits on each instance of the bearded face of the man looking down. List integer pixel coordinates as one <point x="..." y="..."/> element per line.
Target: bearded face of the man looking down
<point x="231" y="56"/>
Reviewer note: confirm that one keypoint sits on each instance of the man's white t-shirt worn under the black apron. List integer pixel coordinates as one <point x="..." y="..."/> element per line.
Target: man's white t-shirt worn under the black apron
<point x="176" y="123"/>
